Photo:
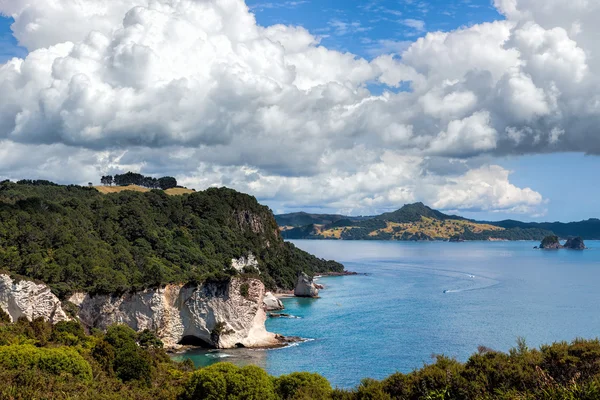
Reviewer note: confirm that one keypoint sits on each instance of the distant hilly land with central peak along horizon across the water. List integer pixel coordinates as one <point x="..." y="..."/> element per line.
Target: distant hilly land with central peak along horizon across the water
<point x="418" y="222"/>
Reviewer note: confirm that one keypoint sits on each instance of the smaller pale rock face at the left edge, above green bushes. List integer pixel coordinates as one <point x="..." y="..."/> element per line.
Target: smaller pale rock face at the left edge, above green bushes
<point x="30" y="300"/>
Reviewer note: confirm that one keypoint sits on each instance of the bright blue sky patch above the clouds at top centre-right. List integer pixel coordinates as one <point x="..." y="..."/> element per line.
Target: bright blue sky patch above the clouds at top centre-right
<point x="359" y="26"/>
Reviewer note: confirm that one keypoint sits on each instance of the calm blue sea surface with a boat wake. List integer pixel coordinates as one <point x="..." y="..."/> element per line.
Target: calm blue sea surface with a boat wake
<point x="421" y="299"/>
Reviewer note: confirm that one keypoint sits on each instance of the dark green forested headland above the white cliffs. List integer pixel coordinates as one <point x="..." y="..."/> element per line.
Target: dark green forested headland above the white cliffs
<point x="75" y="238"/>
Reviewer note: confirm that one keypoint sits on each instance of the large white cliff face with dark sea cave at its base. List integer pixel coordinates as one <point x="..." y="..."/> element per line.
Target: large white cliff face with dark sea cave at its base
<point x="219" y="315"/>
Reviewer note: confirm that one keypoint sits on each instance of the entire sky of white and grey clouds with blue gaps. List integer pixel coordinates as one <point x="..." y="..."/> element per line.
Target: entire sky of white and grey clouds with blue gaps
<point x="488" y="109"/>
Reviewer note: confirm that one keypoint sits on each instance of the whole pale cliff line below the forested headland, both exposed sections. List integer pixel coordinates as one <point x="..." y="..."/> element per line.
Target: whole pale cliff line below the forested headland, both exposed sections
<point x="212" y="314"/>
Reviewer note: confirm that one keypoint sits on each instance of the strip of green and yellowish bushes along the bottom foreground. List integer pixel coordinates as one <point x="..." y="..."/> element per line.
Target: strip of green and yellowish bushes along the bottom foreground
<point x="41" y="361"/>
